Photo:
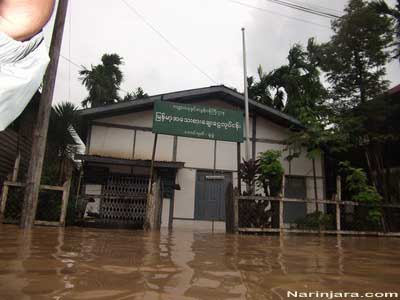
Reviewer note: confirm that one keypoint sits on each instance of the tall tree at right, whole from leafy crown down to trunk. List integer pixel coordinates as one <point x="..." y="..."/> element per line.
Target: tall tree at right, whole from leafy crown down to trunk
<point x="355" y="61"/>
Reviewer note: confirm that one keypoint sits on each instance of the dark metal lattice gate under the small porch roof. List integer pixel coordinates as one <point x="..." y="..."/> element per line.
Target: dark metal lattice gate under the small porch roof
<point x="124" y="201"/>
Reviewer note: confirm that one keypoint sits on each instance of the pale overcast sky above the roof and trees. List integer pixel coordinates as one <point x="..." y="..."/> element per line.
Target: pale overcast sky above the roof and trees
<point x="205" y="31"/>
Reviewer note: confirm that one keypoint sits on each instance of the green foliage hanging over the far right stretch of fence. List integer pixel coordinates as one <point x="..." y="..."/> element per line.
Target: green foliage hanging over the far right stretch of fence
<point x="359" y="189"/>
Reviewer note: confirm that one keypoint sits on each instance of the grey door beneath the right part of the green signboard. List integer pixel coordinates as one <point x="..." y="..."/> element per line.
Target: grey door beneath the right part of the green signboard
<point x="211" y="191"/>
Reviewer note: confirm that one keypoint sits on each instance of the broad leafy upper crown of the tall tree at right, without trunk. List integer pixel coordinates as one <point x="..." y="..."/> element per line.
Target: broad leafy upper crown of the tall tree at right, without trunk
<point x="356" y="56"/>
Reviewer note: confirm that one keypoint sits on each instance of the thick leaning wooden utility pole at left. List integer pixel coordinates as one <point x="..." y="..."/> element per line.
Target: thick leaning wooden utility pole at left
<point x="32" y="186"/>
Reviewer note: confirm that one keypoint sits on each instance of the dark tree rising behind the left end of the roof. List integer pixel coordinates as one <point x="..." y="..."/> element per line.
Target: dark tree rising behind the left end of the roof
<point x="102" y="81"/>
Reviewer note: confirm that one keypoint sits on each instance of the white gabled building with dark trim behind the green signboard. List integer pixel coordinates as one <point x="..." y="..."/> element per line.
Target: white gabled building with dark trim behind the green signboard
<point x="119" y="143"/>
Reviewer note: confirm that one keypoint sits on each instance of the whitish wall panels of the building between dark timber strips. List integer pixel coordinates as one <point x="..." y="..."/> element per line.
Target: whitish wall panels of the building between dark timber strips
<point x="137" y="143"/>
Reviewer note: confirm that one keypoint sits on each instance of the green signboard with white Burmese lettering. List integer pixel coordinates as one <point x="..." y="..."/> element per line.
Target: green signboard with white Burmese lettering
<point x="197" y="121"/>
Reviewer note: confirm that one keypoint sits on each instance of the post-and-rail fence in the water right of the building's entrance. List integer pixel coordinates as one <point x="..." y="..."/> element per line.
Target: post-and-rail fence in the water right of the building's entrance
<point x="257" y="214"/>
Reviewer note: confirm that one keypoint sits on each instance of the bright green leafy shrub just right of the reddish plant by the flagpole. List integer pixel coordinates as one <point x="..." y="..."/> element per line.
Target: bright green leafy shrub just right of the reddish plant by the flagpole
<point x="271" y="172"/>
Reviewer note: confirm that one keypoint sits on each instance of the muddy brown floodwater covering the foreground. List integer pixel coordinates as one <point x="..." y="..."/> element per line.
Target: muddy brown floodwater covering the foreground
<point x="81" y="263"/>
